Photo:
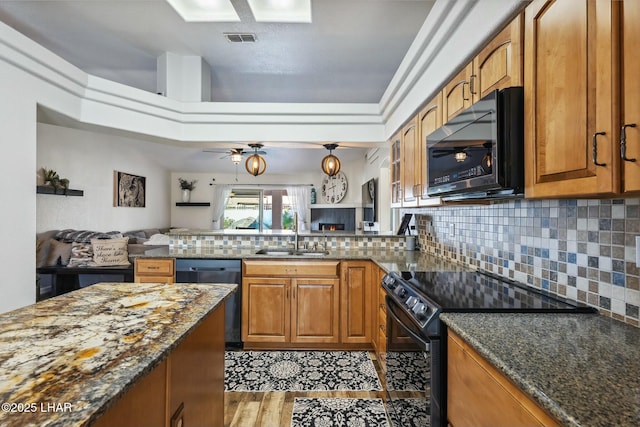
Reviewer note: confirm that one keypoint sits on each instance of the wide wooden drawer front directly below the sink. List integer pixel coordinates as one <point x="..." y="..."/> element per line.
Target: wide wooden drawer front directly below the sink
<point x="291" y="268"/>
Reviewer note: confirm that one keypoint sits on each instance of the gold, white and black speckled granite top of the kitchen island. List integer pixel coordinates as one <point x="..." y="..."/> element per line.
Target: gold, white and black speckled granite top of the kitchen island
<point x="65" y="360"/>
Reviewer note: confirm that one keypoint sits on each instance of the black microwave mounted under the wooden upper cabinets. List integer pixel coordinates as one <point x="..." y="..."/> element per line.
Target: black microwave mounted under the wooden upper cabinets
<point x="480" y="152"/>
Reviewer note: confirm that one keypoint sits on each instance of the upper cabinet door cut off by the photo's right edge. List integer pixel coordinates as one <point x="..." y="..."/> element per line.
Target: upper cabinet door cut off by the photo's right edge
<point x="631" y="93"/>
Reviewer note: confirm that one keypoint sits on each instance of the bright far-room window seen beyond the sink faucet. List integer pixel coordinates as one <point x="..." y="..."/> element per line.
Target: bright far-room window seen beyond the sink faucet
<point x="258" y="209"/>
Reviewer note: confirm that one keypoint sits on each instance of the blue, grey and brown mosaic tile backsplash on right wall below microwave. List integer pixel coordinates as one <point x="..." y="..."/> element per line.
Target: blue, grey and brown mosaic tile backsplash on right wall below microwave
<point x="583" y="250"/>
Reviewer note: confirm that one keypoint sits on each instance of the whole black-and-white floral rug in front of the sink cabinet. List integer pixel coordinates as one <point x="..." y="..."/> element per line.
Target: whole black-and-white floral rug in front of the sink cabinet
<point x="300" y="371"/>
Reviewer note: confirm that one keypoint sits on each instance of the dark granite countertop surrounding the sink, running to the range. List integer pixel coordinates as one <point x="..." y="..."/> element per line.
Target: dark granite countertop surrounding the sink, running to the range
<point x="389" y="260"/>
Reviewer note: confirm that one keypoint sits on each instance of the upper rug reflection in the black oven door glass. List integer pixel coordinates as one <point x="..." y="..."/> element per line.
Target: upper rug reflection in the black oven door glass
<point x="408" y="371"/>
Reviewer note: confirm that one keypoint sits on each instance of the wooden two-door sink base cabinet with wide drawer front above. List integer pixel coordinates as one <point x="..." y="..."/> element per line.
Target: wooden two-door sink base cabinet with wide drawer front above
<point x="290" y="303"/>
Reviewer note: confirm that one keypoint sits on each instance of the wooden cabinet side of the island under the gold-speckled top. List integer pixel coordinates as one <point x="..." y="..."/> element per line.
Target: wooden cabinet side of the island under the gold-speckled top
<point x="188" y="385"/>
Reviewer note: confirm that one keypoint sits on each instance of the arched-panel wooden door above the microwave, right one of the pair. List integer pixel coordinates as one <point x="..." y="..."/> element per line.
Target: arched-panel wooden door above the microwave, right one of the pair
<point x="499" y="64"/>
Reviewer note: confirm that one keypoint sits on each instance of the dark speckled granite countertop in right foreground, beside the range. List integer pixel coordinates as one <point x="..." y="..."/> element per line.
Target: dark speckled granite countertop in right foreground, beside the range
<point x="583" y="368"/>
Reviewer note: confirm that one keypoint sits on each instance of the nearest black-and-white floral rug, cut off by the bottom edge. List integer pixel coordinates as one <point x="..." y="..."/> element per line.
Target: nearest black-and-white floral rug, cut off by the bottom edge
<point x="338" y="412"/>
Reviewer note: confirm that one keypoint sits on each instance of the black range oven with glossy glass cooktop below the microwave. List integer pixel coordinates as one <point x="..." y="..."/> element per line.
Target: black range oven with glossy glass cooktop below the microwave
<point x="416" y="346"/>
